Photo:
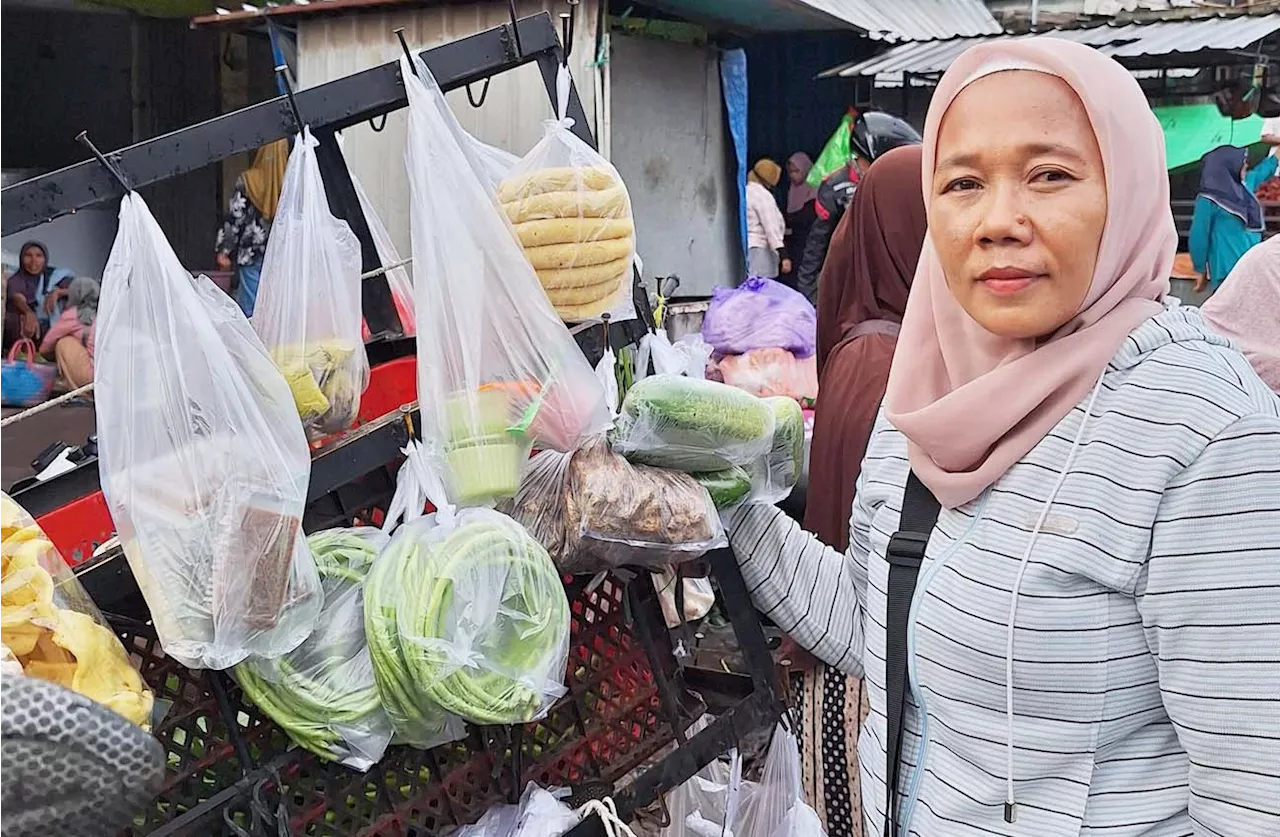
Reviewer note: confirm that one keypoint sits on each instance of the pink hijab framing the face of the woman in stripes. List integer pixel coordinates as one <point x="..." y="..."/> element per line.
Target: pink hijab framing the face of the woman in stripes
<point x="972" y="404"/>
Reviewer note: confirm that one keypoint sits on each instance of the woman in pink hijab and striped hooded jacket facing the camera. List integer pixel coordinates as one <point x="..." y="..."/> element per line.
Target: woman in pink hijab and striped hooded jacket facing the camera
<point x="1090" y="647"/>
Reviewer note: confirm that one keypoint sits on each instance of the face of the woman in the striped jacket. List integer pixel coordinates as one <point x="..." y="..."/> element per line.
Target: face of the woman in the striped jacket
<point x="1020" y="203"/>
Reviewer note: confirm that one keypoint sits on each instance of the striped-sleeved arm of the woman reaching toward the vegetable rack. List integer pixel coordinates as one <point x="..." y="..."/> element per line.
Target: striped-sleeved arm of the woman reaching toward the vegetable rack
<point x="808" y="589"/>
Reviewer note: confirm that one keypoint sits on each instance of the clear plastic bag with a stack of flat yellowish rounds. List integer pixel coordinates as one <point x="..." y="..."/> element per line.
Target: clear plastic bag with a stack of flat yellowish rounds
<point x="573" y="217"/>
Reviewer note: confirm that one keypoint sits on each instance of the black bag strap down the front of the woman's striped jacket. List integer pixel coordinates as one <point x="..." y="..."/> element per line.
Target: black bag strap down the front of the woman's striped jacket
<point x="906" y="555"/>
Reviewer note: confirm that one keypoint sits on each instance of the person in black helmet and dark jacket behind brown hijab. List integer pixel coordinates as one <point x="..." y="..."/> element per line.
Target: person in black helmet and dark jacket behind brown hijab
<point x="874" y="134"/>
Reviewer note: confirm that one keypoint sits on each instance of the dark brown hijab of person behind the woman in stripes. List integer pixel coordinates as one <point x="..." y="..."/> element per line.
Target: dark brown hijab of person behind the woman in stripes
<point x="874" y="251"/>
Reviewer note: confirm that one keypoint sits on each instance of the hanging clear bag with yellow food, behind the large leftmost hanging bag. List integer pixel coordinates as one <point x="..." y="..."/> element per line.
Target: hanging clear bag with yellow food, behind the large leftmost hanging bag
<point x="309" y="308"/>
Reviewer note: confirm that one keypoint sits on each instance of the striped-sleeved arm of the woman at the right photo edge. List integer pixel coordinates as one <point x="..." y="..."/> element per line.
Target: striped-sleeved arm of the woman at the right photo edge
<point x="1210" y="603"/>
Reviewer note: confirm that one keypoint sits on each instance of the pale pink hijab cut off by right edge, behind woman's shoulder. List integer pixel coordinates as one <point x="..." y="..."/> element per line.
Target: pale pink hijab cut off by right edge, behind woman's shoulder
<point x="1245" y="309"/>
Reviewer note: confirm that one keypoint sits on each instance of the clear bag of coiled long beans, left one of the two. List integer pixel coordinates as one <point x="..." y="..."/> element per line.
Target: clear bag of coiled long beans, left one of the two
<point x="323" y="693"/>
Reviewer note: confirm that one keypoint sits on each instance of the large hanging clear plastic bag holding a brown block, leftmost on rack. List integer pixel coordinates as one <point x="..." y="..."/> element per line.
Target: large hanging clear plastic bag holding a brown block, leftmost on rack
<point x="203" y="459"/>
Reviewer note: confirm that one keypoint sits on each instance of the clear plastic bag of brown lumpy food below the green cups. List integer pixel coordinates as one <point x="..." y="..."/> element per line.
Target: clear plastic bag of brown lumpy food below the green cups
<point x="595" y="511"/>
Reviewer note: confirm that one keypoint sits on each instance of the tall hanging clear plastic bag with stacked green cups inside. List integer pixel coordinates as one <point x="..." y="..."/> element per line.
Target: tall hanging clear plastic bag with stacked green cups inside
<point x="497" y="369"/>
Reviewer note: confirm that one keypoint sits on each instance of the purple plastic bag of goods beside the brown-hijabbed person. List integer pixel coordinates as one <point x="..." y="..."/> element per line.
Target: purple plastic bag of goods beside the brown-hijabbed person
<point x="761" y="314"/>
